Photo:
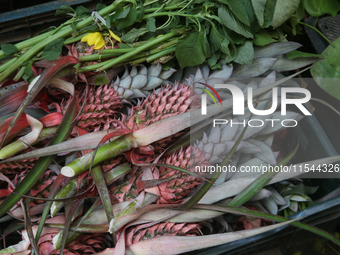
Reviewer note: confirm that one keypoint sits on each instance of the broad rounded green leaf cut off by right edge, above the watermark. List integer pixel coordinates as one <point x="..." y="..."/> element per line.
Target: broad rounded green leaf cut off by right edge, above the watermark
<point x="326" y="72"/>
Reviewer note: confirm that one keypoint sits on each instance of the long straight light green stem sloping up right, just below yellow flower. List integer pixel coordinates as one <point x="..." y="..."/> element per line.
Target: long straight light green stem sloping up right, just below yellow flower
<point x="140" y="49"/>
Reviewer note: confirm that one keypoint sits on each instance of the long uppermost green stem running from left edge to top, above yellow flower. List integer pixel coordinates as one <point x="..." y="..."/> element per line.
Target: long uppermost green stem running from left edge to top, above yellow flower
<point x="61" y="34"/>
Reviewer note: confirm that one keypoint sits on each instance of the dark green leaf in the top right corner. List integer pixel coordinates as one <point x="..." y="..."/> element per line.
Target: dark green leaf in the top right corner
<point x="320" y="7"/>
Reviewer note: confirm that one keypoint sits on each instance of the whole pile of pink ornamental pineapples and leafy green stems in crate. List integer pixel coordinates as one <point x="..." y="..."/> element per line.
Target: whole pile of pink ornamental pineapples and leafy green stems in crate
<point x="105" y="147"/>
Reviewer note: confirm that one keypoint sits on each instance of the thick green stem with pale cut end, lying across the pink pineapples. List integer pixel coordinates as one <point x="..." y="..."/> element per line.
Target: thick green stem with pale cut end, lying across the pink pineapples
<point x="105" y="152"/>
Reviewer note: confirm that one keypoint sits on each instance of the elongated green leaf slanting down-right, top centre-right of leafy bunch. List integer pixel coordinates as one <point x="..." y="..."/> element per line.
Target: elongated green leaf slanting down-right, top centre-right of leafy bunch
<point x="229" y="20"/>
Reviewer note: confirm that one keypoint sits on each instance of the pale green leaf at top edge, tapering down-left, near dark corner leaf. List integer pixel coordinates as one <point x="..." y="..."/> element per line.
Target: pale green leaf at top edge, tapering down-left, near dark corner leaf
<point x="284" y="9"/>
